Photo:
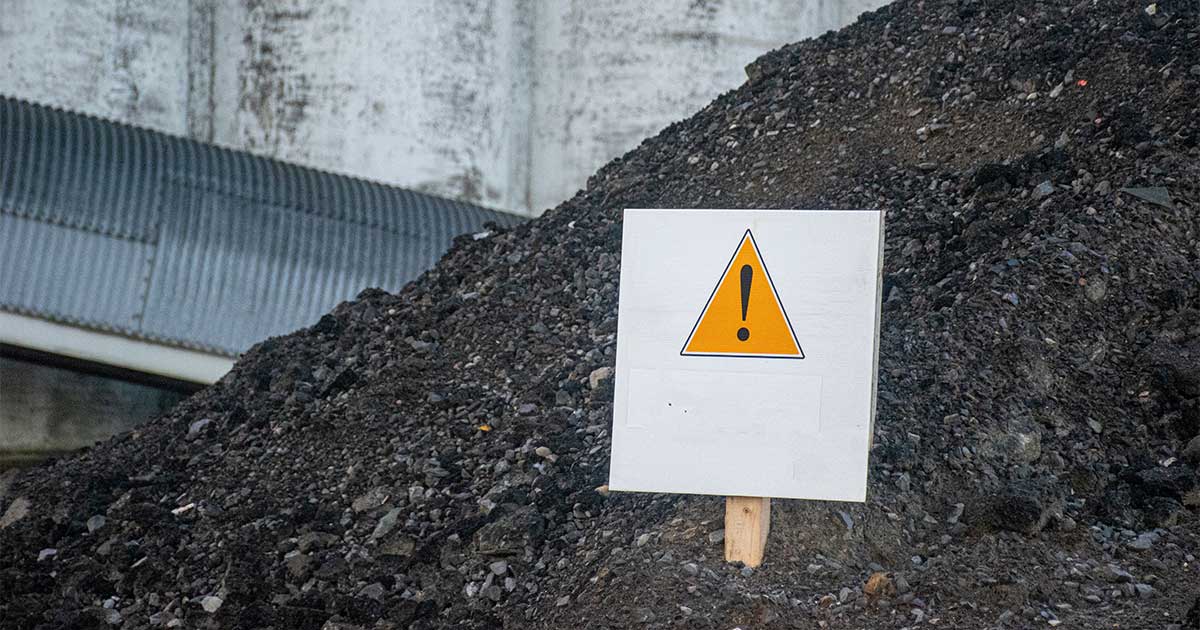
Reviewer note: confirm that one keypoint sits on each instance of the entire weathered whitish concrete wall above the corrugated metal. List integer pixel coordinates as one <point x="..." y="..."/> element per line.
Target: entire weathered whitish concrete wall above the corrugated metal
<point x="511" y="104"/>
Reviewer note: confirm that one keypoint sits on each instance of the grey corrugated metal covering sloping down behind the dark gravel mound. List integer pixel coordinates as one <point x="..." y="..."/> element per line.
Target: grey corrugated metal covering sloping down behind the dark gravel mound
<point x="129" y="231"/>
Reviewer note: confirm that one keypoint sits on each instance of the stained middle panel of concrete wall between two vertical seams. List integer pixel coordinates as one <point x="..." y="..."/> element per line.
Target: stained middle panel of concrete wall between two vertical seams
<point x="427" y="94"/>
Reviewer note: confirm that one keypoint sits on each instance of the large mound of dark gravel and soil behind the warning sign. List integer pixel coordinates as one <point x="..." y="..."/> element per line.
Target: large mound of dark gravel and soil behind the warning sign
<point x="431" y="459"/>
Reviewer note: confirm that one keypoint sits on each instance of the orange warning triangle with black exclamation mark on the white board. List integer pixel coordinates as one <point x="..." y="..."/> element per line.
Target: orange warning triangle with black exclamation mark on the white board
<point x="745" y="316"/>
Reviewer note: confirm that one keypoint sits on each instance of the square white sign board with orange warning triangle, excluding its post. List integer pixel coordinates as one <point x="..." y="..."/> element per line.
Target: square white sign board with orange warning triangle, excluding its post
<point x="747" y="352"/>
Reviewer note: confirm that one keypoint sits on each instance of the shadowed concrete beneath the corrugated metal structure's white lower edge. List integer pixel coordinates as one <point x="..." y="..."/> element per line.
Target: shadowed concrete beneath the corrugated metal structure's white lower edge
<point x="45" y="411"/>
